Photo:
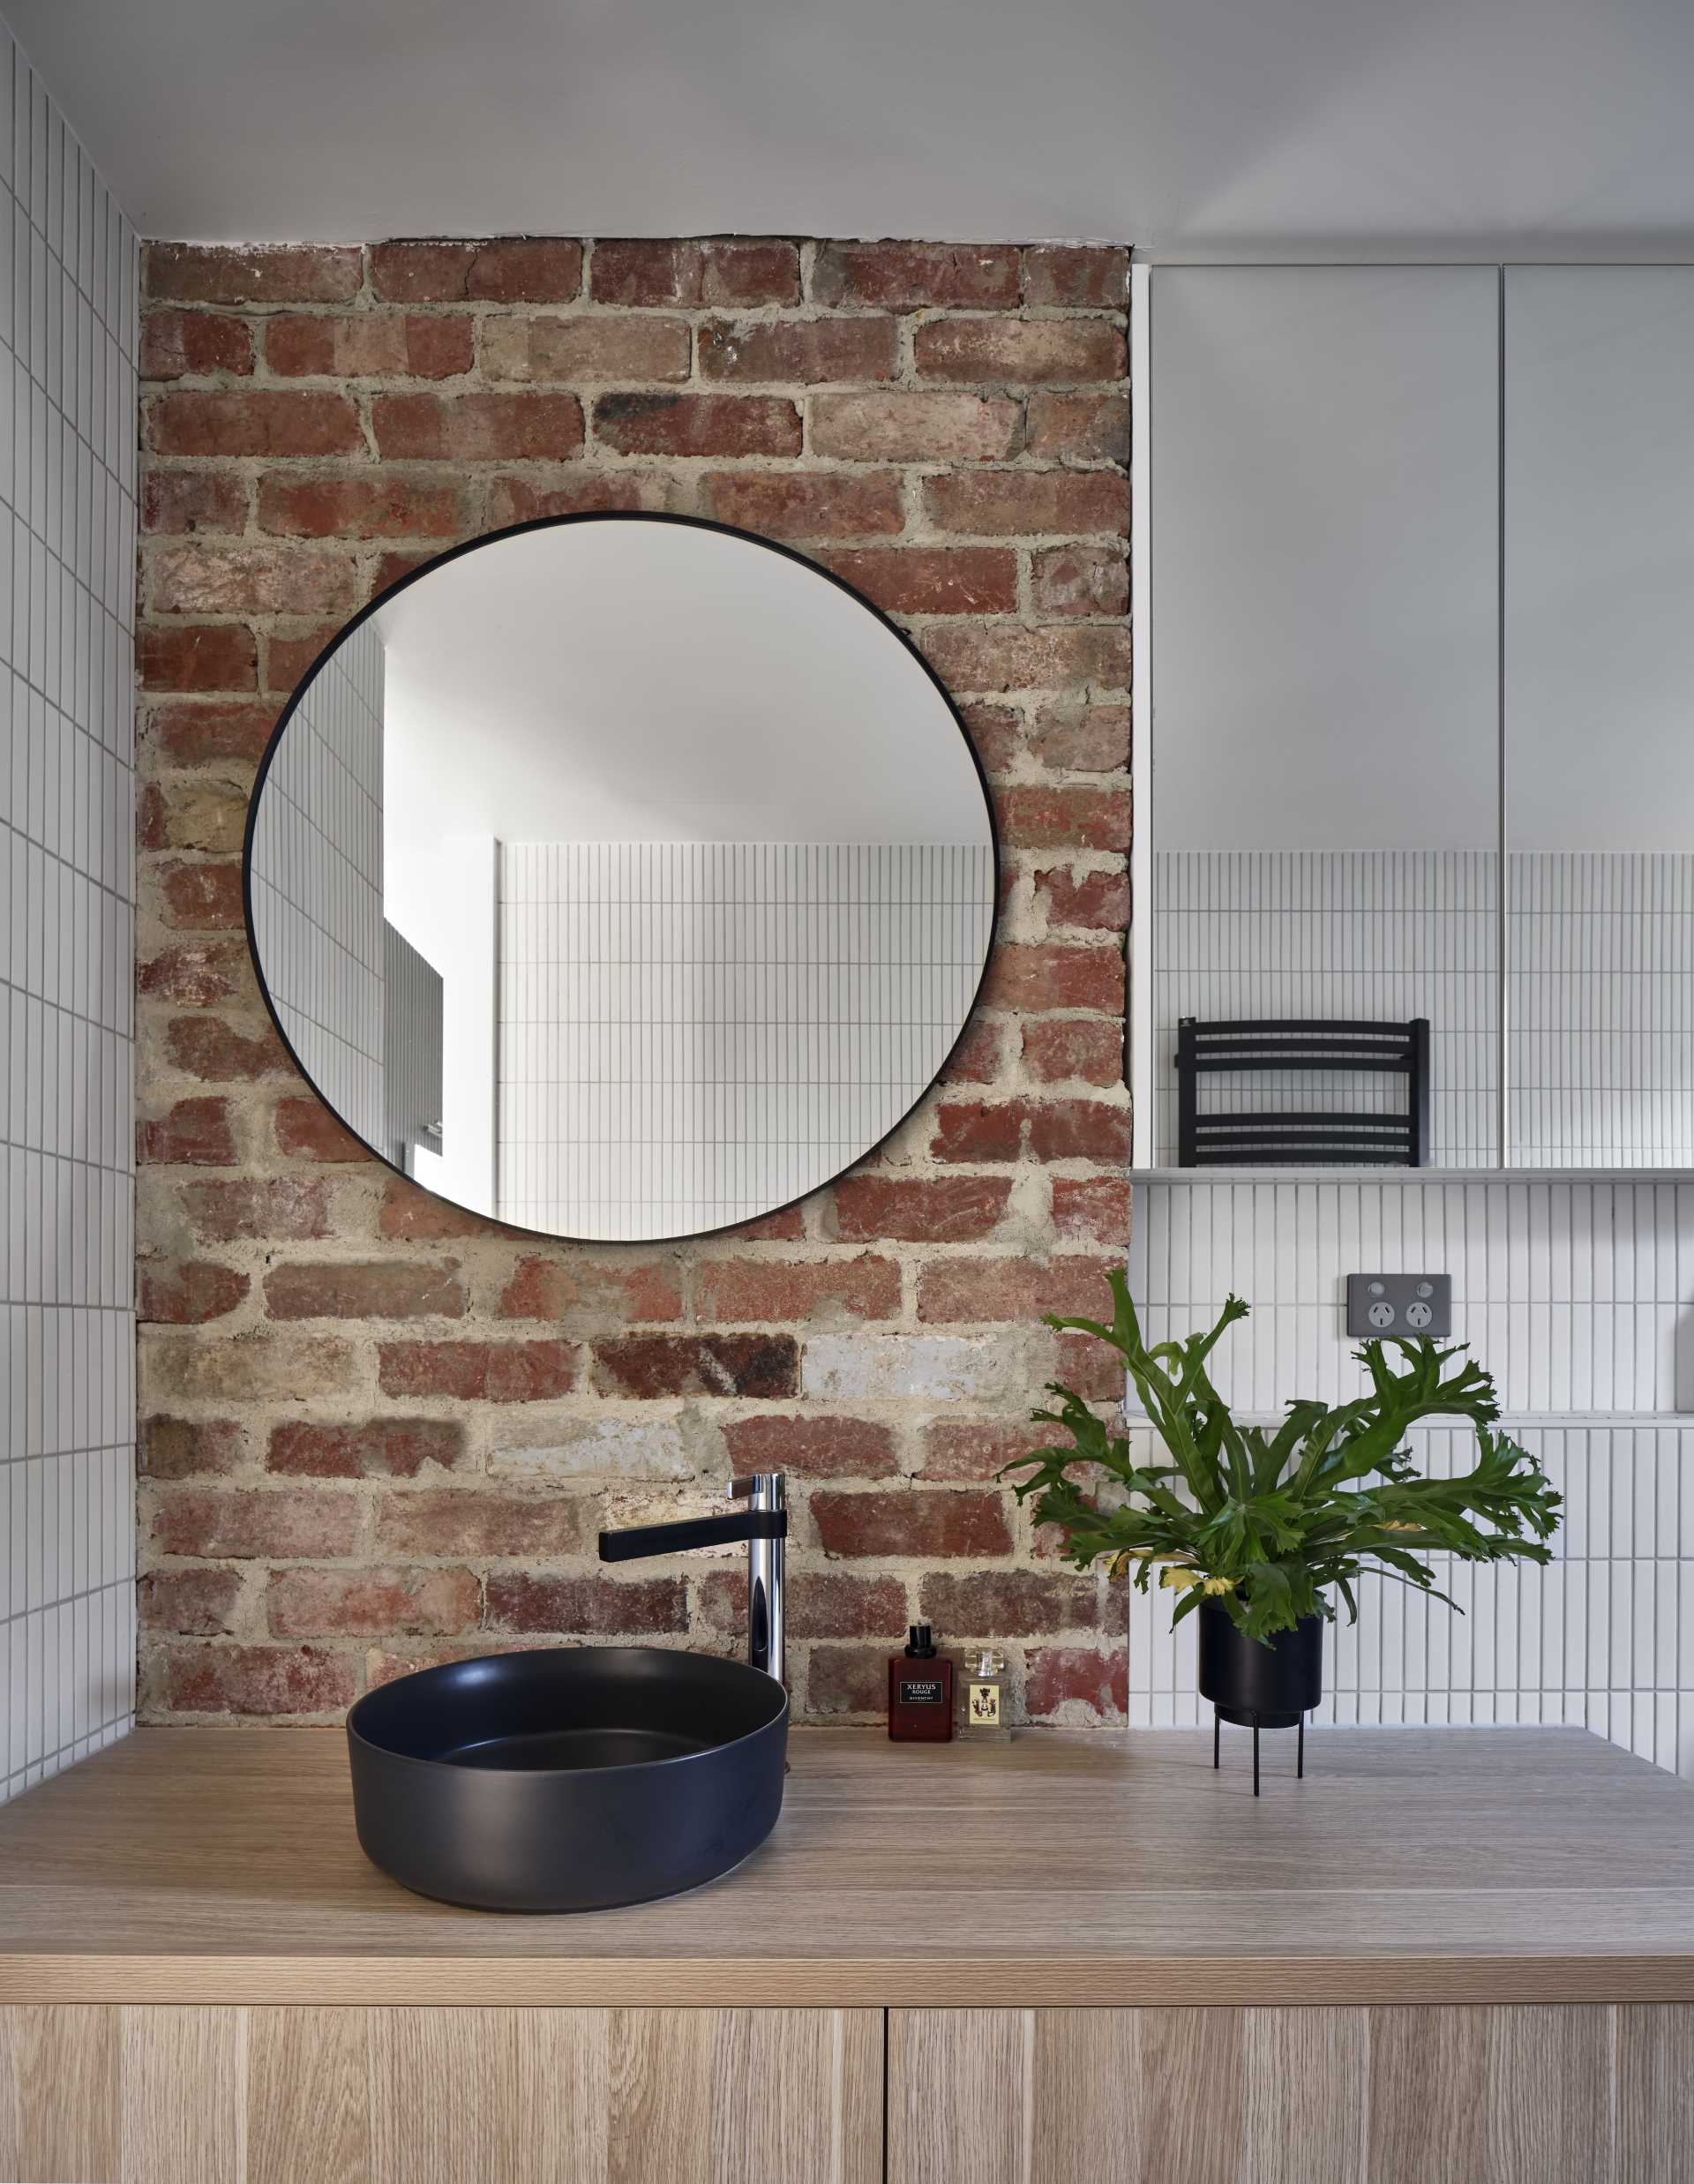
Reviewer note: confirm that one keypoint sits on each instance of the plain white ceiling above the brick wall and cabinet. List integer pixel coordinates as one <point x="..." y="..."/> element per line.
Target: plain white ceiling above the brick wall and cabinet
<point x="1527" y="128"/>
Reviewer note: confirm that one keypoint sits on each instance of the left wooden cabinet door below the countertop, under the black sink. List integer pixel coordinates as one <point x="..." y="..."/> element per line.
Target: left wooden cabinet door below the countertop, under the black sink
<point x="440" y="2096"/>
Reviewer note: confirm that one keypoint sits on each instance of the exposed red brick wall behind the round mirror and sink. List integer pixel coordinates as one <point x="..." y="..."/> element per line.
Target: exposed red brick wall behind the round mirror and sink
<point x="381" y="1432"/>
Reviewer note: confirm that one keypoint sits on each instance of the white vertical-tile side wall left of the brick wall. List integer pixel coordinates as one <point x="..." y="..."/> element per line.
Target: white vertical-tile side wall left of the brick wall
<point x="69" y="324"/>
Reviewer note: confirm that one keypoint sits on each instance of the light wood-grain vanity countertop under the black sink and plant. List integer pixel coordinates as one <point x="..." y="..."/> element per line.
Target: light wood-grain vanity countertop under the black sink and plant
<point x="1066" y="1868"/>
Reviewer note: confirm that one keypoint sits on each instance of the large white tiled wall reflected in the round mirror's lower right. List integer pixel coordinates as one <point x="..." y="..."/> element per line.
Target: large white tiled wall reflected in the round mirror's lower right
<point x="693" y="1034"/>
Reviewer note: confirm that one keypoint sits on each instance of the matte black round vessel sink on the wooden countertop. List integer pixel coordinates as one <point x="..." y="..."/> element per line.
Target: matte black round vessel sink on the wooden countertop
<point x="571" y="1779"/>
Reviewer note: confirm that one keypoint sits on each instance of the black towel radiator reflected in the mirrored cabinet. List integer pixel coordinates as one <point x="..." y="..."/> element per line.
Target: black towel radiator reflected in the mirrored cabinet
<point x="1302" y="1139"/>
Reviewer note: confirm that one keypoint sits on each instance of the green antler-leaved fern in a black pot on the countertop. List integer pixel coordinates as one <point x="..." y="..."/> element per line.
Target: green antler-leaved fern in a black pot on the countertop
<point x="1258" y="1528"/>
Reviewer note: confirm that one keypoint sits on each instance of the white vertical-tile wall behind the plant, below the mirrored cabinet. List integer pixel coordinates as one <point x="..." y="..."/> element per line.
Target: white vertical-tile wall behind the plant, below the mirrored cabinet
<point x="1579" y="1296"/>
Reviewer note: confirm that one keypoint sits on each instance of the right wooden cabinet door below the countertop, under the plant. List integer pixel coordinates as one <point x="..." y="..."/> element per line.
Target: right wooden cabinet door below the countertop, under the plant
<point x="1527" y="2096"/>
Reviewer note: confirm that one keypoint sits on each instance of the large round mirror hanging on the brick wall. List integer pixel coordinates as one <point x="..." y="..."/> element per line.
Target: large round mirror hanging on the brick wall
<point x="621" y="877"/>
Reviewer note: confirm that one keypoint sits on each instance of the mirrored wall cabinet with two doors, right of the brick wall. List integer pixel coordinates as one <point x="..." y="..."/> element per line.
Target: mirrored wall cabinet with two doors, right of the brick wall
<point x="1416" y="733"/>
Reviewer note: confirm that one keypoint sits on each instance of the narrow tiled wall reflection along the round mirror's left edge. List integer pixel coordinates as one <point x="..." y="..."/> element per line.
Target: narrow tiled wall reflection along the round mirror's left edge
<point x="318" y="883"/>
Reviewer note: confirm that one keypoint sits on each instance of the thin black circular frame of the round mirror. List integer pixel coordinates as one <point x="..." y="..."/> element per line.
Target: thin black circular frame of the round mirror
<point x="558" y="523"/>
